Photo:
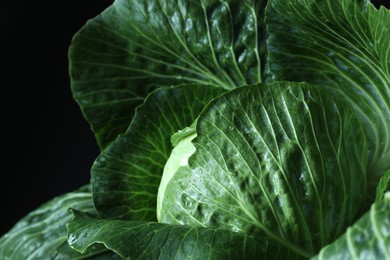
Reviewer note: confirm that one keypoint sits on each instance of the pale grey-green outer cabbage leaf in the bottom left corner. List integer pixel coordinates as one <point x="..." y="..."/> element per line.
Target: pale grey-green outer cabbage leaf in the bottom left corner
<point x="42" y="233"/>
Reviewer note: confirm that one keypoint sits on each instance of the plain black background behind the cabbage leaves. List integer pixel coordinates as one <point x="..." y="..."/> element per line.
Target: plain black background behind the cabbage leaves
<point x="47" y="148"/>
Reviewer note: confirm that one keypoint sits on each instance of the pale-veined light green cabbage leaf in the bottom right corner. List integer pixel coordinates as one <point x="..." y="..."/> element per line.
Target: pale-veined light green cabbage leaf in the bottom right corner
<point x="368" y="238"/>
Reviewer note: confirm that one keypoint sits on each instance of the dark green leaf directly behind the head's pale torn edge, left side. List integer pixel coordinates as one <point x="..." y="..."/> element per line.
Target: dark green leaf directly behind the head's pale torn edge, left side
<point x="126" y="176"/>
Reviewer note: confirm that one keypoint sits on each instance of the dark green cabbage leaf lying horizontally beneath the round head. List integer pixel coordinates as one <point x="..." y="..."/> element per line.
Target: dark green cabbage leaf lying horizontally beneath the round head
<point x="151" y="240"/>
